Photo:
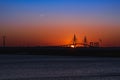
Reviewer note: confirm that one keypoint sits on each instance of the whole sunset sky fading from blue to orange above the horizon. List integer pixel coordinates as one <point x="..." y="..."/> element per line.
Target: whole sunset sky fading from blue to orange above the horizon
<point x="54" y="22"/>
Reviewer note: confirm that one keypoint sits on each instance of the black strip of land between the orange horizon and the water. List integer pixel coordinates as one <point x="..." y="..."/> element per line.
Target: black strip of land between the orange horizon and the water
<point x="61" y="51"/>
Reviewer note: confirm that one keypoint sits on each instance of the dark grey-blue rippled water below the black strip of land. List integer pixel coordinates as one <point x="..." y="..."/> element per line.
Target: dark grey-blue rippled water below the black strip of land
<point x="37" y="67"/>
